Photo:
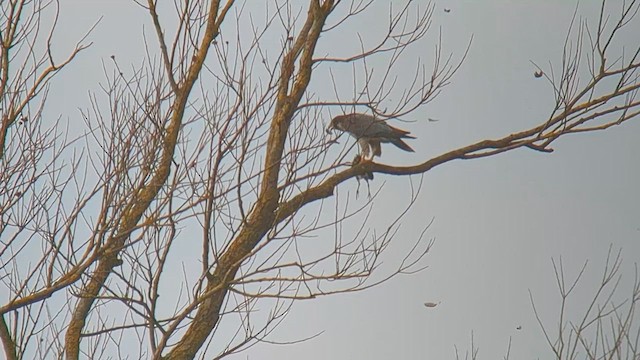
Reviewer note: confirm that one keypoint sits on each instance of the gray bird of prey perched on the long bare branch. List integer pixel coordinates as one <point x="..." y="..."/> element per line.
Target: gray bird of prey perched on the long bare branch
<point x="369" y="132"/>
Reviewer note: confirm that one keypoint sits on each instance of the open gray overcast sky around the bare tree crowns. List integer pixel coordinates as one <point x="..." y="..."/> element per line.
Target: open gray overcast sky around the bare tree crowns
<point x="497" y="221"/>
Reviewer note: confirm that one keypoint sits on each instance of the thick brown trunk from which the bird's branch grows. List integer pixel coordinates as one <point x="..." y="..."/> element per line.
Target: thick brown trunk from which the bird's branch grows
<point x="261" y="219"/>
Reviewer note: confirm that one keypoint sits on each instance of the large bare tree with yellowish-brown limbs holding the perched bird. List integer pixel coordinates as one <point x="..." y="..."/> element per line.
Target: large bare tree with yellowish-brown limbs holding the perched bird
<point x="198" y="187"/>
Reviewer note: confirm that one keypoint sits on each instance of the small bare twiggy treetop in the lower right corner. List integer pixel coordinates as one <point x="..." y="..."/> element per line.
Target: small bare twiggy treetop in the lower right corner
<point x="607" y="328"/>
